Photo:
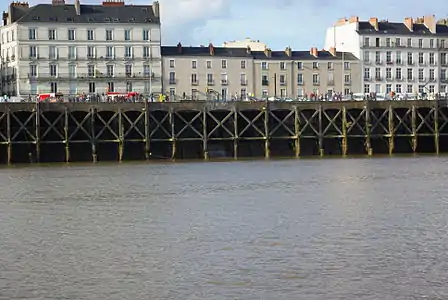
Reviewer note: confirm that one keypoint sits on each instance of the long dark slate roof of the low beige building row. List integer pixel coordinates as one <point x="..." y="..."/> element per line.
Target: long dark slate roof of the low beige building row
<point x="174" y="51"/>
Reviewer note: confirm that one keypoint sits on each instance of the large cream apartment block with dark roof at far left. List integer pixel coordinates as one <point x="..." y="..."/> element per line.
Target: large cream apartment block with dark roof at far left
<point x="75" y="48"/>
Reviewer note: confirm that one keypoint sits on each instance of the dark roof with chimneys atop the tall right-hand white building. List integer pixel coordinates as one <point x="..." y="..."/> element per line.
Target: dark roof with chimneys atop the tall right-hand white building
<point x="395" y="28"/>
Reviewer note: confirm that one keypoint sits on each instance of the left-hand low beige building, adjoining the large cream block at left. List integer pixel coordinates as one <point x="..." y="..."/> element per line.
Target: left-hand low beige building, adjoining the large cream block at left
<point x="210" y="72"/>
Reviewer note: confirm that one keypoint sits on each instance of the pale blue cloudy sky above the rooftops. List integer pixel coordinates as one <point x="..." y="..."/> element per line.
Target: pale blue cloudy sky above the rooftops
<point x="300" y="24"/>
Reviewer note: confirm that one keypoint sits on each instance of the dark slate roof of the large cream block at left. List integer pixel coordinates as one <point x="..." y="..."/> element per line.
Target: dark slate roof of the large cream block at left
<point x="126" y="14"/>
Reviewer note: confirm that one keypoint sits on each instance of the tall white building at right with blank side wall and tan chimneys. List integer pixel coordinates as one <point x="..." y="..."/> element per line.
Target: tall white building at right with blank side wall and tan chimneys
<point x="402" y="57"/>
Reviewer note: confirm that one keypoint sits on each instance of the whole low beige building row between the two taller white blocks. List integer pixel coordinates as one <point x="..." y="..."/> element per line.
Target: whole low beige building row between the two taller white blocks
<point x="207" y="73"/>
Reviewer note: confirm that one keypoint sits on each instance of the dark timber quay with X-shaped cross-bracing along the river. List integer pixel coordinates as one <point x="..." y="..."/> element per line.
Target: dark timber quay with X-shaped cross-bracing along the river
<point x="76" y="132"/>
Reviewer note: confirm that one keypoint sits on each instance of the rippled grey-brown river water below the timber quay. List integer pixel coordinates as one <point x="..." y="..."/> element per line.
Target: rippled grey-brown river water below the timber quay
<point x="286" y="229"/>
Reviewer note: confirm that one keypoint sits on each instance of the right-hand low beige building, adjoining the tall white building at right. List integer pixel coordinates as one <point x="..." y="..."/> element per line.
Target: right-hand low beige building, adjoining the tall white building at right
<point x="293" y="74"/>
